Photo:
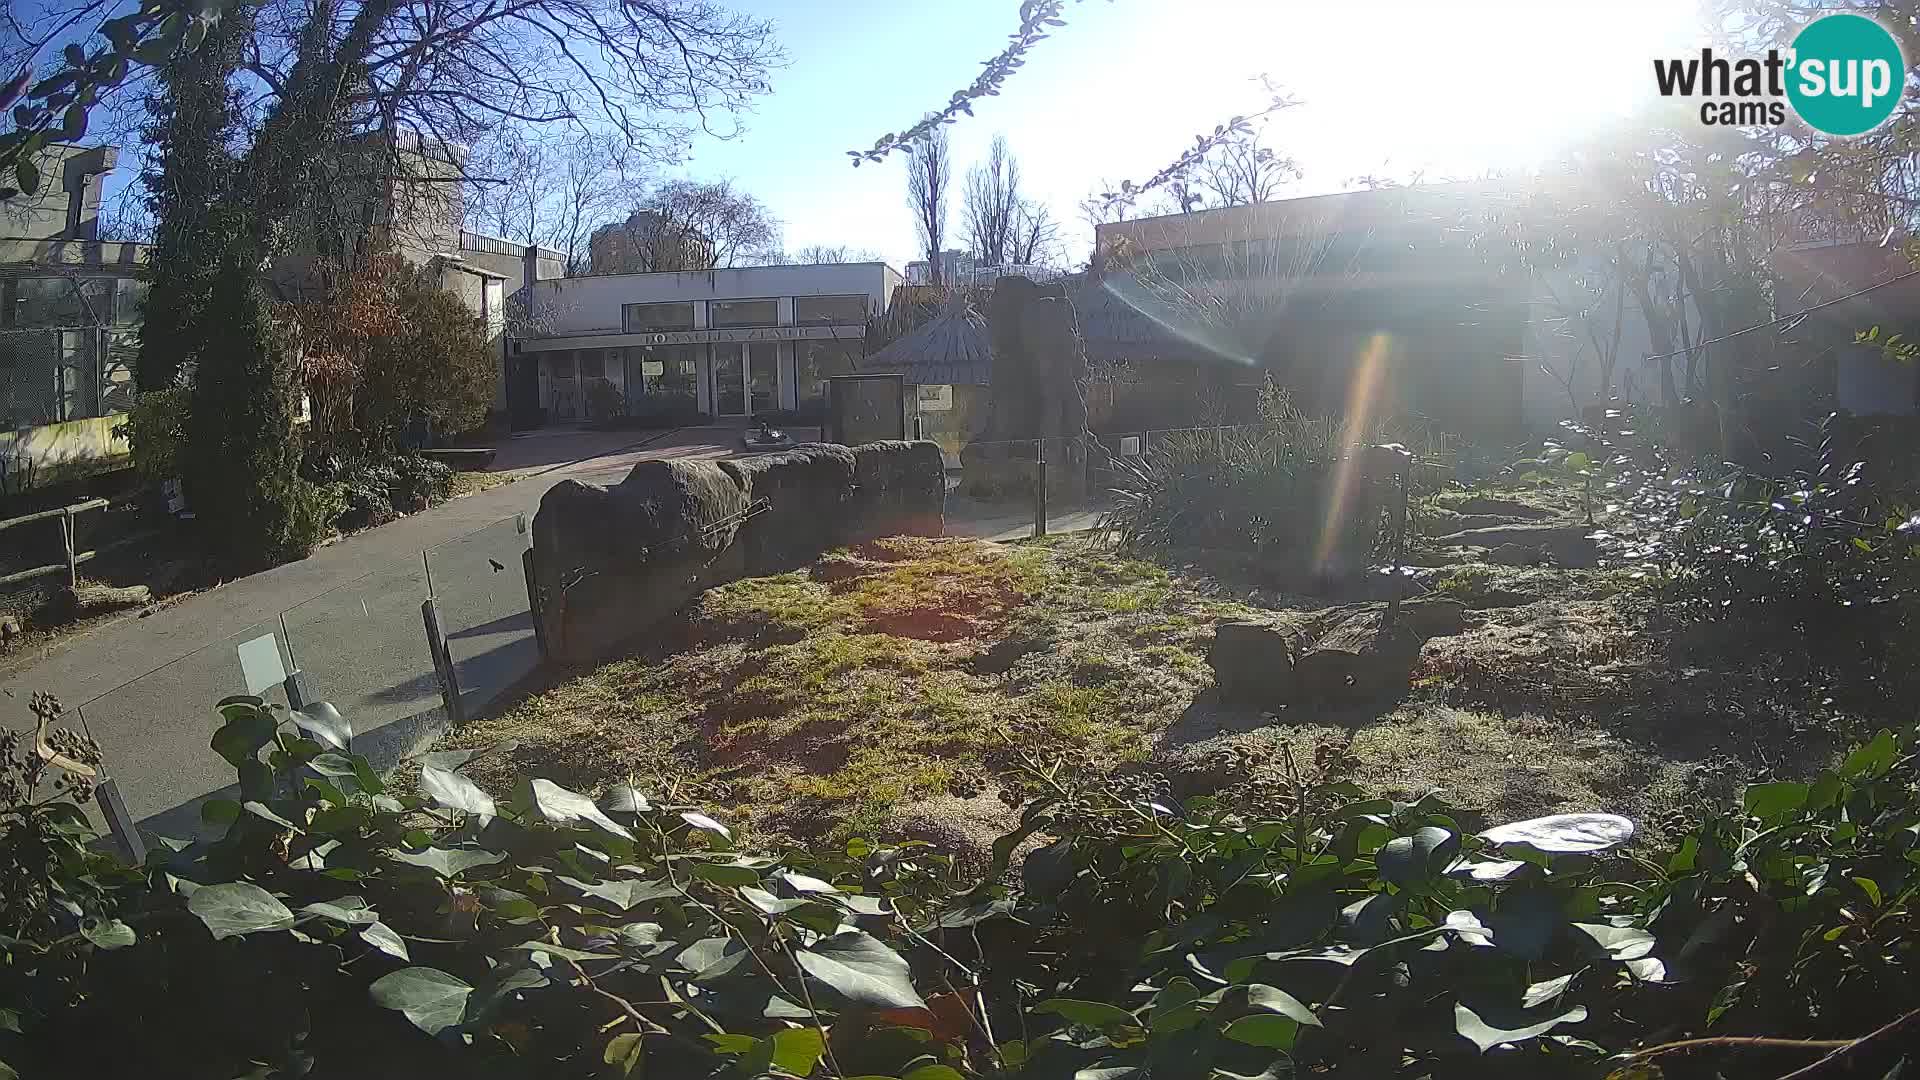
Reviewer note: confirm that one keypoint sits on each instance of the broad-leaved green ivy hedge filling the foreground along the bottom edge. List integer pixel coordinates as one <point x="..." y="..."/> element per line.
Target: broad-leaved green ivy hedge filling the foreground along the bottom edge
<point x="337" y="925"/>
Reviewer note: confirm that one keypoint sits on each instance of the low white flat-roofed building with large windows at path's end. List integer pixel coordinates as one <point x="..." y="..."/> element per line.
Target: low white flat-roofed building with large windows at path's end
<point x="729" y="343"/>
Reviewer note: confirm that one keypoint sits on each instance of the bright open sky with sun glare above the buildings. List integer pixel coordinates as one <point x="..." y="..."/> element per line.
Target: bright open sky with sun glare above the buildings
<point x="1393" y="87"/>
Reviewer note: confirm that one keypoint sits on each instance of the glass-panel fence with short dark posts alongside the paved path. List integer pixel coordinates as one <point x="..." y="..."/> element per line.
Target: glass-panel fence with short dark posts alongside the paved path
<point x="402" y="652"/>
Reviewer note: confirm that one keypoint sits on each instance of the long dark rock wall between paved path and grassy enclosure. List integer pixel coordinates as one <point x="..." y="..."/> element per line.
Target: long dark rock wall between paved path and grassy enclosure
<point x="613" y="562"/>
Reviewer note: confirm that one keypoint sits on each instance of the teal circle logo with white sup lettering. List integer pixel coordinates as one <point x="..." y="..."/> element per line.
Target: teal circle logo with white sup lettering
<point x="1846" y="74"/>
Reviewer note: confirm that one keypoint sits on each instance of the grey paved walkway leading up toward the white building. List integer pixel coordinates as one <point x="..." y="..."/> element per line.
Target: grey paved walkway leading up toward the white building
<point x="350" y="620"/>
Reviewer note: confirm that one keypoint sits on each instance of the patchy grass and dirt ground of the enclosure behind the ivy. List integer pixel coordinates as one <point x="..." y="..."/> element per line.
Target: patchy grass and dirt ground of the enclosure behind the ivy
<point x="901" y="689"/>
